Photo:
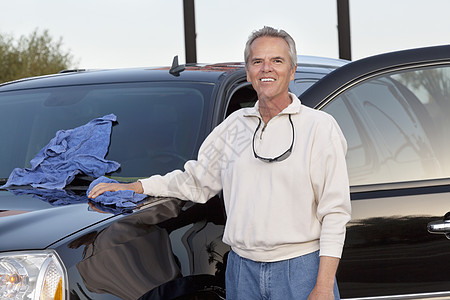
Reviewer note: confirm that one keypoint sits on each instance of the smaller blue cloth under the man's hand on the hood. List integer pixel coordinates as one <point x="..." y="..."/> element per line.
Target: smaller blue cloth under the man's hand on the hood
<point x="126" y="198"/>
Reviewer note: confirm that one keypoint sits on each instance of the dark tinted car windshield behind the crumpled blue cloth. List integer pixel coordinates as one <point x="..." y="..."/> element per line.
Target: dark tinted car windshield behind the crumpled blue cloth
<point x="158" y="128"/>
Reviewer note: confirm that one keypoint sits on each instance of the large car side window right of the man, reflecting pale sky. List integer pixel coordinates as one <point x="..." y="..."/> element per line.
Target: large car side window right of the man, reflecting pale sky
<point x="397" y="126"/>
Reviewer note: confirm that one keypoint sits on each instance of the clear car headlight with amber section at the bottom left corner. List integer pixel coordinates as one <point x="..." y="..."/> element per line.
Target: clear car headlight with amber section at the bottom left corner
<point x="32" y="275"/>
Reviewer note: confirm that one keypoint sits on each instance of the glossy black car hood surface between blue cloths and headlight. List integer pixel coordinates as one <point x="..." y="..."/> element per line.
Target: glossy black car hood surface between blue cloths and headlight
<point x="35" y="219"/>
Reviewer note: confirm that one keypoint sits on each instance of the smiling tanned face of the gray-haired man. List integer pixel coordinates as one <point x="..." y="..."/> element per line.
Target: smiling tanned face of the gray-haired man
<point x="269" y="67"/>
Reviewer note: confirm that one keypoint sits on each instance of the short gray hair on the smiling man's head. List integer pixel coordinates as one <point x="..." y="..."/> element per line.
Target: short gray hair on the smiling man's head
<point x="267" y="31"/>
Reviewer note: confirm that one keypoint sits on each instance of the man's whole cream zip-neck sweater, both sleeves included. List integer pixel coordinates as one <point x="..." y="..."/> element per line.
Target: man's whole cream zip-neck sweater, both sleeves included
<point x="277" y="210"/>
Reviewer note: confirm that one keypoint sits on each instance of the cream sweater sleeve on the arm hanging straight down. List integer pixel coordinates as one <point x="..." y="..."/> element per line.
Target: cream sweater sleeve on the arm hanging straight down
<point x="331" y="186"/>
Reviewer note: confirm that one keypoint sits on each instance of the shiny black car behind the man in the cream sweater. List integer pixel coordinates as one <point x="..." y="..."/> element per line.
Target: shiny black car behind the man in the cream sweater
<point x="392" y="108"/>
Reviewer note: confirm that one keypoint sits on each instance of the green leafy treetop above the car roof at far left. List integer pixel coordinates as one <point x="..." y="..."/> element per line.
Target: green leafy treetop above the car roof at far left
<point x="33" y="55"/>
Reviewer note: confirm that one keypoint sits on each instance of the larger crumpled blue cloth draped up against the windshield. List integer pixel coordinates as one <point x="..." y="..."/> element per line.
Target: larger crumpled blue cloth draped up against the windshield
<point x="70" y="152"/>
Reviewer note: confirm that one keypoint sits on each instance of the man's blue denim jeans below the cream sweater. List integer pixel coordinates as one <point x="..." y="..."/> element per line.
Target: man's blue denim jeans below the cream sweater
<point x="288" y="279"/>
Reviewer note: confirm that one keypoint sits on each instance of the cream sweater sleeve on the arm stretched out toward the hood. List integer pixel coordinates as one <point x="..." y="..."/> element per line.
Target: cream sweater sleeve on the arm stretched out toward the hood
<point x="200" y="180"/>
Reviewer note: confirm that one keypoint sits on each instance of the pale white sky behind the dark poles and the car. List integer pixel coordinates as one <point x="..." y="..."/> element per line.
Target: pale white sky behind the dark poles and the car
<point x="144" y="33"/>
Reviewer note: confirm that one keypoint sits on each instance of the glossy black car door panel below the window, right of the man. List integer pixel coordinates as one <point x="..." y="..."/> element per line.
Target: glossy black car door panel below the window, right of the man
<point x="388" y="250"/>
